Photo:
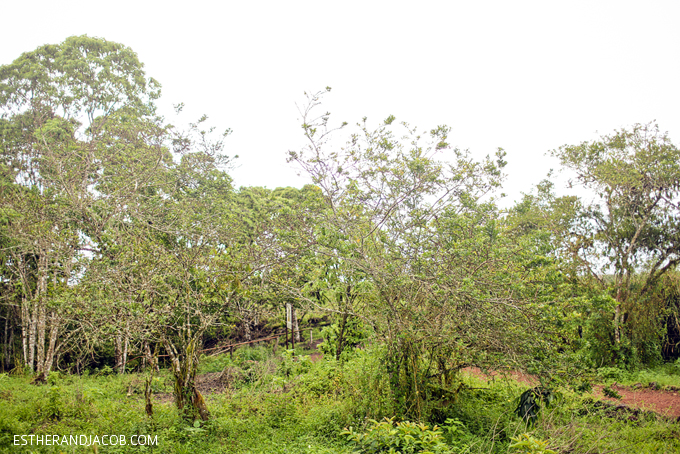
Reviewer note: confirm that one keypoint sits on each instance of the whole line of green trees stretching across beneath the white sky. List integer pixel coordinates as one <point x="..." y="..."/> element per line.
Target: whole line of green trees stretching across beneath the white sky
<point x="122" y="233"/>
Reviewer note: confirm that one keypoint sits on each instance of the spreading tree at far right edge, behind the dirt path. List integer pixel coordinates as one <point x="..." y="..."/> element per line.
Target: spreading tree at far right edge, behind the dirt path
<point x="633" y="225"/>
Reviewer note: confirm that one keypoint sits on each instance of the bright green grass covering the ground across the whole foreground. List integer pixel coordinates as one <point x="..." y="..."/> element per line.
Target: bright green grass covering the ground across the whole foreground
<point x="284" y="403"/>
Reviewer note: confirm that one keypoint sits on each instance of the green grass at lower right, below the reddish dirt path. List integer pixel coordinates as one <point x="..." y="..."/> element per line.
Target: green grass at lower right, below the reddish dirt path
<point x="574" y="423"/>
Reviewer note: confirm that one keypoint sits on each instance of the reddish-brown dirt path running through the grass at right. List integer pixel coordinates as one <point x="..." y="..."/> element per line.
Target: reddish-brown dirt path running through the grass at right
<point x="665" y="403"/>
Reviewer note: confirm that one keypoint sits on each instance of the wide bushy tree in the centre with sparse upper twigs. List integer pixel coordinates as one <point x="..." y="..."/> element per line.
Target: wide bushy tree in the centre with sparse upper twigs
<point x="437" y="272"/>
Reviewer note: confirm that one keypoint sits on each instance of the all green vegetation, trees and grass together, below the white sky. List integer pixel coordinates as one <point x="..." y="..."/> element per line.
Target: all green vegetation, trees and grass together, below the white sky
<point x="128" y="256"/>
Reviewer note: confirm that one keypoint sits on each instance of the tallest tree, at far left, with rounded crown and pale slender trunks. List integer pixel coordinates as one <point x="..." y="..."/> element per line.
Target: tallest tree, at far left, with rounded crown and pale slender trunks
<point x="54" y="103"/>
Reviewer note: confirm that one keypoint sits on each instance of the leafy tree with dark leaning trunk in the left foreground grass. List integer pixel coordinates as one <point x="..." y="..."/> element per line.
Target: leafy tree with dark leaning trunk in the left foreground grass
<point x="168" y="259"/>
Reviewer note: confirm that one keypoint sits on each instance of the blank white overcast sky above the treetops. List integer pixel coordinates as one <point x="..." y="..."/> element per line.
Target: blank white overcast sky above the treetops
<point x="525" y="76"/>
